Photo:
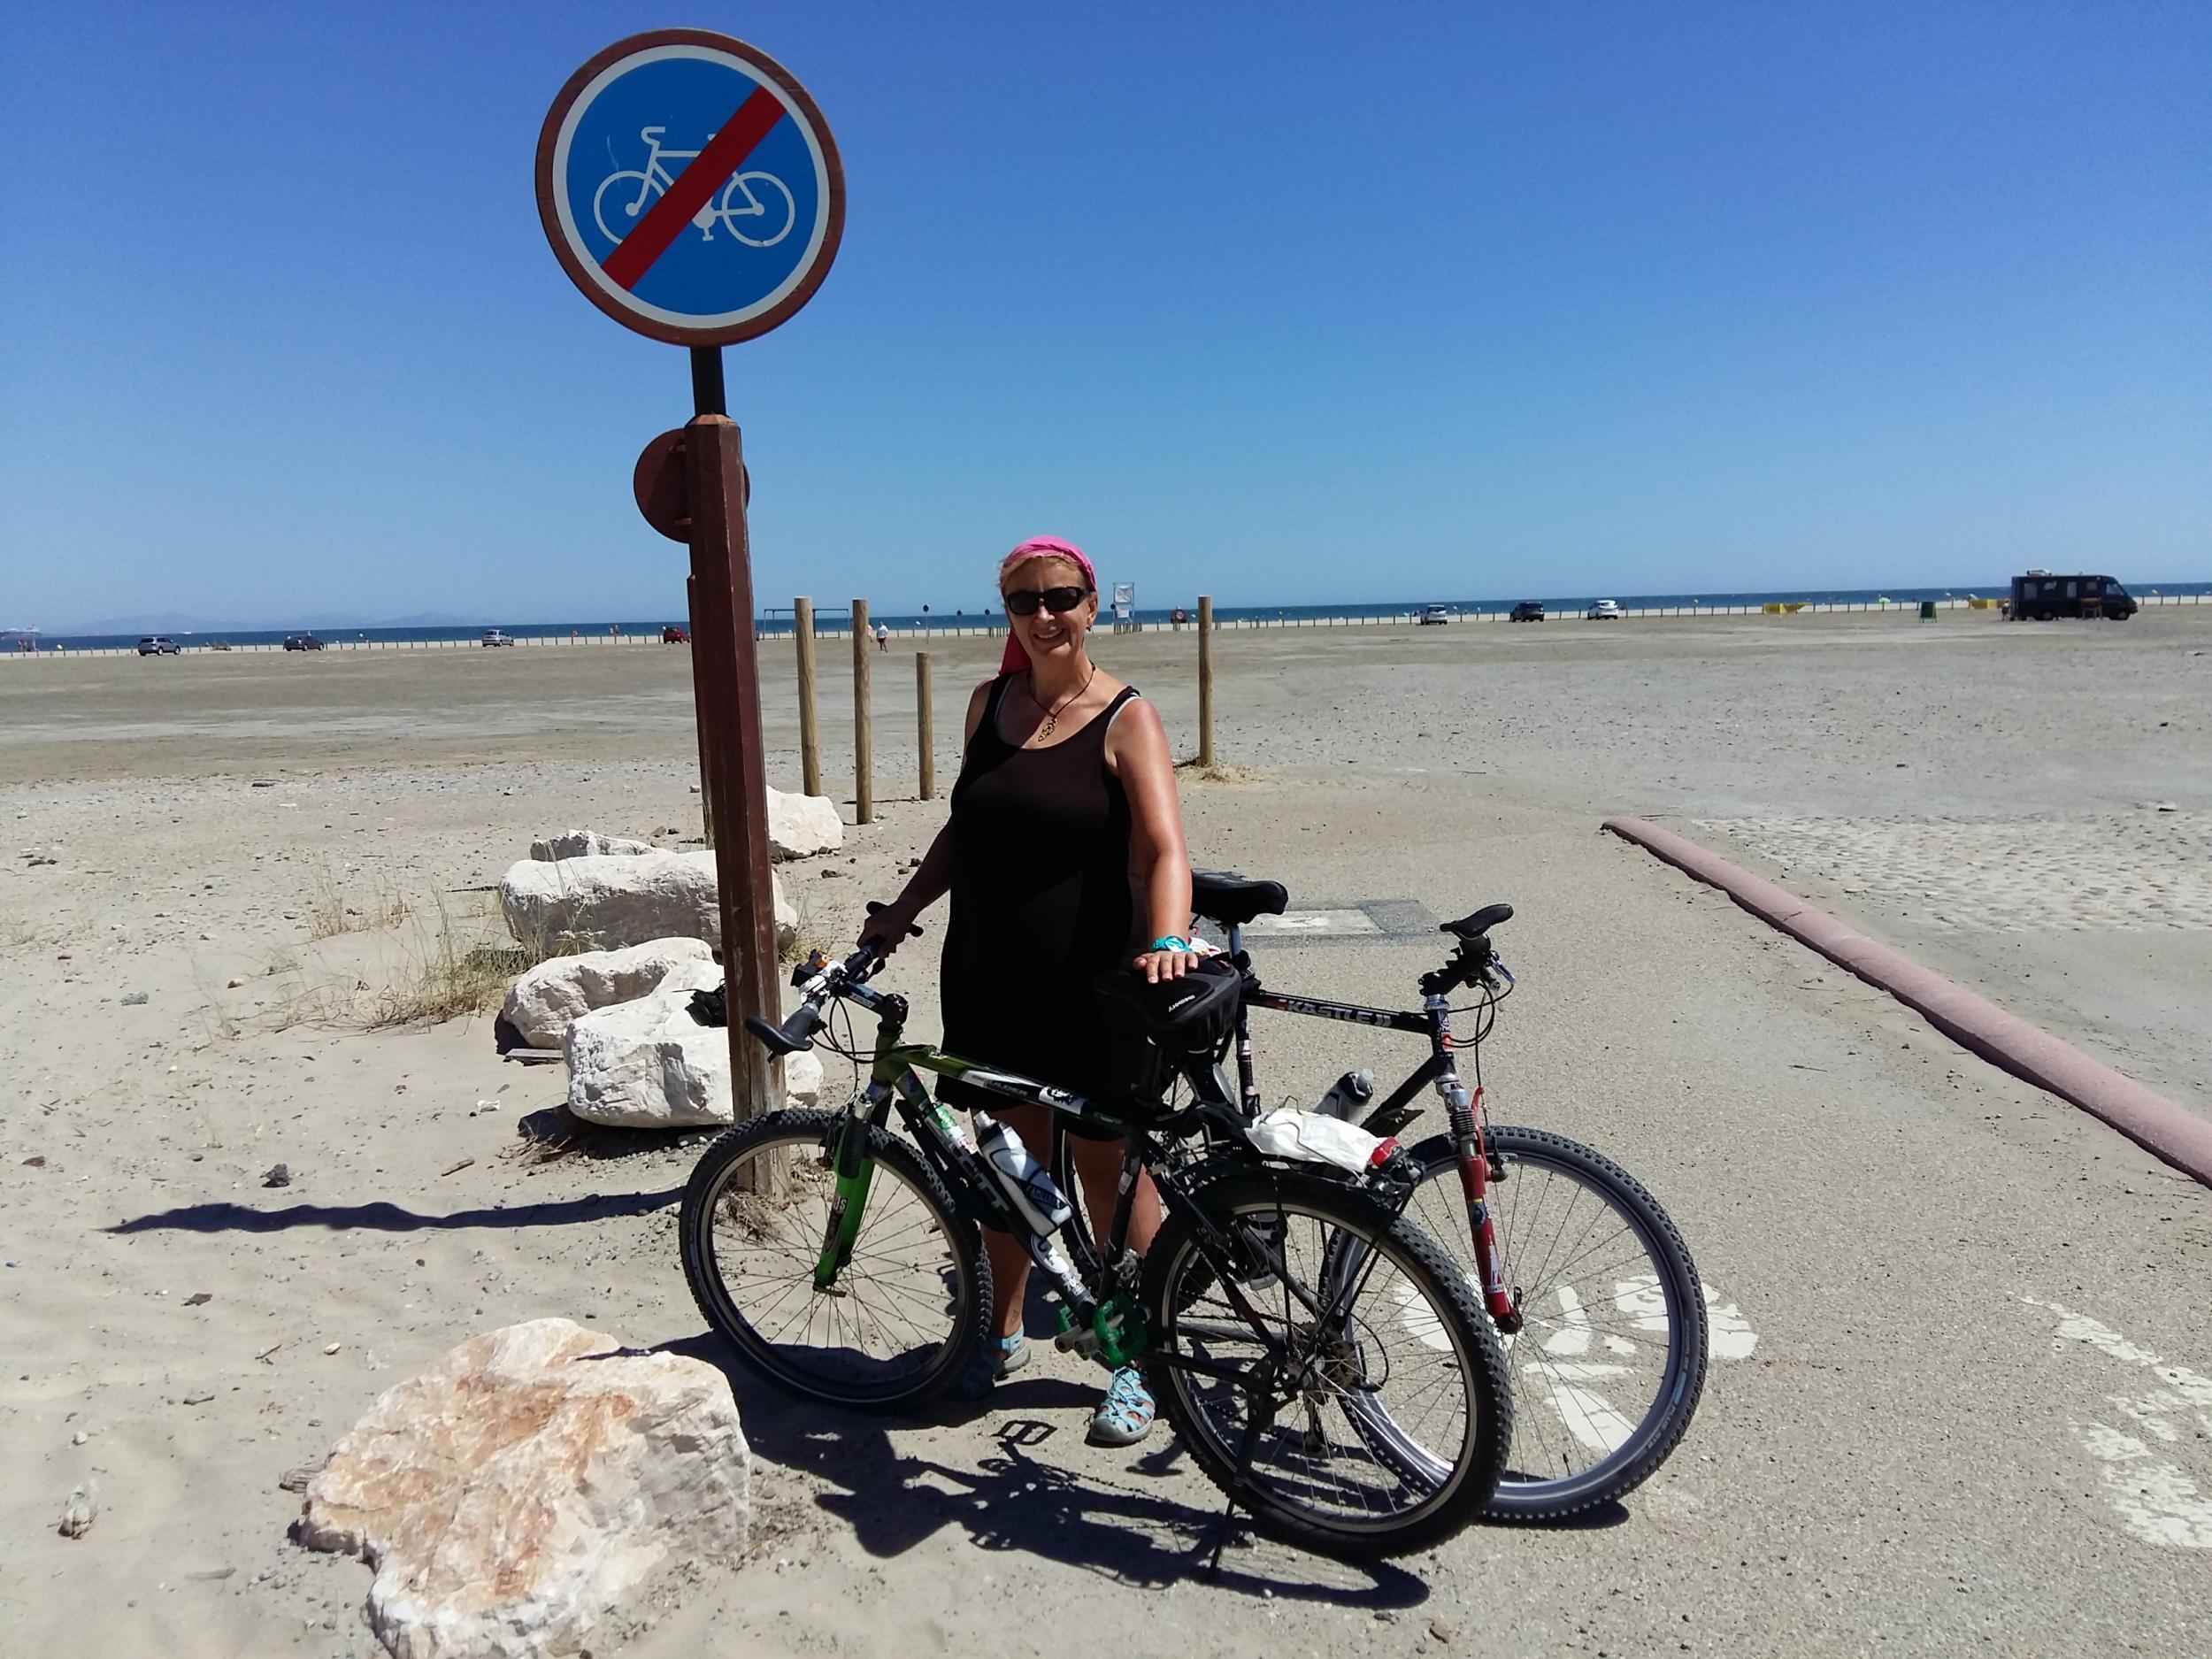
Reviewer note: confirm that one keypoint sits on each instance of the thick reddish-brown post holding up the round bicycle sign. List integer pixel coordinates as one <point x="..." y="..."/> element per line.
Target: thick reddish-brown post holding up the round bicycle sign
<point x="724" y="651"/>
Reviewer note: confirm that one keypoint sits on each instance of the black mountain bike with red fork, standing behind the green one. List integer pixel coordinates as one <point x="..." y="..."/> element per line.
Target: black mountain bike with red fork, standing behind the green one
<point x="1578" y="1266"/>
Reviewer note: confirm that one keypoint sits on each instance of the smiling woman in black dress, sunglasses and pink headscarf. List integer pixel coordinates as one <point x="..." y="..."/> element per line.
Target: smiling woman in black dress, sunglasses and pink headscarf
<point x="1065" y="859"/>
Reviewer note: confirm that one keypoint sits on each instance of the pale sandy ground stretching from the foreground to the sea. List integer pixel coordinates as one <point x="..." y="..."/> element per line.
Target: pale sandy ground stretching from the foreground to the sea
<point x="225" y="873"/>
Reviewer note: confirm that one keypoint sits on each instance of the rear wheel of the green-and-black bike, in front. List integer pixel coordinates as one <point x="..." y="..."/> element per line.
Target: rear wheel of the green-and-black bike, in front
<point x="1366" y="1408"/>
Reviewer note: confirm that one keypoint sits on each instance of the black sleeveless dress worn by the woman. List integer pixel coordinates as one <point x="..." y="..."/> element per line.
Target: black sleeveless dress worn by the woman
<point x="1041" y="906"/>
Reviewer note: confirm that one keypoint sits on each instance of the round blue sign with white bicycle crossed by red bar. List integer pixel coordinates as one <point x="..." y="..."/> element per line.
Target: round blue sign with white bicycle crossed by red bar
<point x="691" y="187"/>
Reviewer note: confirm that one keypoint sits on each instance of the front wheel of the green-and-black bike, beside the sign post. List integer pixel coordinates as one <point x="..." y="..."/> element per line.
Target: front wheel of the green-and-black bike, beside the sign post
<point x="899" y="1319"/>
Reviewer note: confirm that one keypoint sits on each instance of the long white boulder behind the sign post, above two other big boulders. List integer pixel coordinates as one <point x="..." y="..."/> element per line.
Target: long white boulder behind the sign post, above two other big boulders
<point x="605" y="904"/>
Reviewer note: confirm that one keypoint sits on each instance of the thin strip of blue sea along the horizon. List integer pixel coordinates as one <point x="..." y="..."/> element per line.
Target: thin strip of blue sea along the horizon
<point x="826" y="618"/>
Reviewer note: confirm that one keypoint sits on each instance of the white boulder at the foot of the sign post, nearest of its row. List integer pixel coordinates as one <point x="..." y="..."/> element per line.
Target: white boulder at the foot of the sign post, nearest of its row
<point x="651" y="1065"/>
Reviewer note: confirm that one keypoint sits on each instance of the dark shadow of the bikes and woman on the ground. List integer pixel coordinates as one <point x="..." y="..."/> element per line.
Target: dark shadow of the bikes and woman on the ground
<point x="1014" y="1501"/>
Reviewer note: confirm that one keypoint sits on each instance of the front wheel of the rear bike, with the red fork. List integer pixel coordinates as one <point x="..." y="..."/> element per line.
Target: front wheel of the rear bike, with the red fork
<point x="1611" y="1357"/>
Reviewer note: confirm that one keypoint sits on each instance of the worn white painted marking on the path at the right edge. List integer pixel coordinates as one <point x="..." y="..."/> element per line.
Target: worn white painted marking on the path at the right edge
<point x="2156" y="1501"/>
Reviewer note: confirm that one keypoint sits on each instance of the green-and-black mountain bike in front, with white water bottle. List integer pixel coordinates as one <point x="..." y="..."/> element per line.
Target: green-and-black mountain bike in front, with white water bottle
<point x="1324" y="1364"/>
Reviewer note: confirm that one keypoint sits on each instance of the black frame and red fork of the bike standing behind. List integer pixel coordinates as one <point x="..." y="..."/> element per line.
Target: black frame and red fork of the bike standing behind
<point x="1439" y="1072"/>
